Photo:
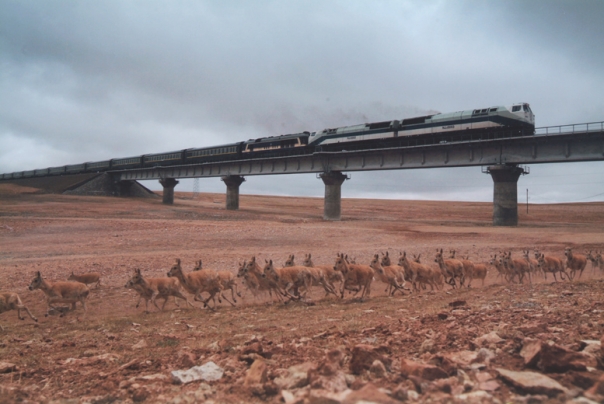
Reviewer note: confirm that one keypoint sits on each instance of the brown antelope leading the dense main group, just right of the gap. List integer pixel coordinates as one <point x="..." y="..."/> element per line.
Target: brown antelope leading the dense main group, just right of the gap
<point x="151" y="289"/>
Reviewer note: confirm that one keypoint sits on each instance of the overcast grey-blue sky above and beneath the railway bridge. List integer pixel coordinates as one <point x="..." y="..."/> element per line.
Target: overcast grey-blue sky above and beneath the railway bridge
<point x="92" y="80"/>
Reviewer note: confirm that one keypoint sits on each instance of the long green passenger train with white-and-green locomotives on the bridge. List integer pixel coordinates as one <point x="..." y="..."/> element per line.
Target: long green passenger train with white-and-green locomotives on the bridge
<point x="476" y="124"/>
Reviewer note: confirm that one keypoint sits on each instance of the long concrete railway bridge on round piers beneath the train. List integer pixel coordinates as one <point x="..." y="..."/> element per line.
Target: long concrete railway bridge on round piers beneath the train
<point x="504" y="159"/>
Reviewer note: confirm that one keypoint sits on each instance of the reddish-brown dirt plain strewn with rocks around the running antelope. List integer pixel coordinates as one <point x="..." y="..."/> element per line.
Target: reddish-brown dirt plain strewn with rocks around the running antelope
<point x="382" y="349"/>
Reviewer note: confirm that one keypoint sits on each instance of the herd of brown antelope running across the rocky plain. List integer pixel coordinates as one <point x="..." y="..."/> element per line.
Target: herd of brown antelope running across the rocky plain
<point x="293" y="282"/>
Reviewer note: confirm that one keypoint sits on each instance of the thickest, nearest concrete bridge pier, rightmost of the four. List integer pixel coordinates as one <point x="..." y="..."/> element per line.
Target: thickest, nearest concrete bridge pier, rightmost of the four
<point x="505" y="194"/>
